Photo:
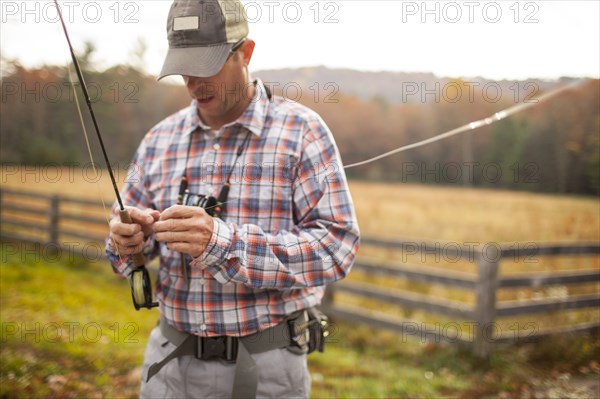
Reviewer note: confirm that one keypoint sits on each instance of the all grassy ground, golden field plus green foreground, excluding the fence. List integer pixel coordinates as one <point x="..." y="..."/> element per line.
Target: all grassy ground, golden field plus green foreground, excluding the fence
<point x="69" y="329"/>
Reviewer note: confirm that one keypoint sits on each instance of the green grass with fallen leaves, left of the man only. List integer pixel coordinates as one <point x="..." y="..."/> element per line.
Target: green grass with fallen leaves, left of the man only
<point x="68" y="326"/>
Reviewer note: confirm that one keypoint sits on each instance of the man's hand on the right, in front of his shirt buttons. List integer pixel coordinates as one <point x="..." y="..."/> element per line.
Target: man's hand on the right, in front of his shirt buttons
<point x="186" y="229"/>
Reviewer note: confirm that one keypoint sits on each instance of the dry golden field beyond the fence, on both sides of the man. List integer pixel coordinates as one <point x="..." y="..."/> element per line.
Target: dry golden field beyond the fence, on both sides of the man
<point x="393" y="210"/>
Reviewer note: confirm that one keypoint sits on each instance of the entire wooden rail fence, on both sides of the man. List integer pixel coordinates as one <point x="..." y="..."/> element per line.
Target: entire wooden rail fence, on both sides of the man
<point x="56" y="220"/>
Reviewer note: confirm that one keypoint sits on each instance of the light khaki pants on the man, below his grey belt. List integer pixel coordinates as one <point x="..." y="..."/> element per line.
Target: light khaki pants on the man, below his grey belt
<point x="281" y="374"/>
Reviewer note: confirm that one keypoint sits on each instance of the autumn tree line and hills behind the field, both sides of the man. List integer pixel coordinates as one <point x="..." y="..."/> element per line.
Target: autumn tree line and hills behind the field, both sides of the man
<point x="552" y="147"/>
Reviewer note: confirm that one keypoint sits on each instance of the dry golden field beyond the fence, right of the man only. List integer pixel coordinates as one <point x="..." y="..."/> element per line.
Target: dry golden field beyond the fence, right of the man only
<point x="459" y="214"/>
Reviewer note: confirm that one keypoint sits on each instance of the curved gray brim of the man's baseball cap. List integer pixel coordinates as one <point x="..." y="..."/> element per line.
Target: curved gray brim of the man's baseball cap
<point x="195" y="61"/>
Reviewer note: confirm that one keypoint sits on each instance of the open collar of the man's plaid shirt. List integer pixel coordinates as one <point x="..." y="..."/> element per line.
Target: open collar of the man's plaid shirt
<point x="253" y="118"/>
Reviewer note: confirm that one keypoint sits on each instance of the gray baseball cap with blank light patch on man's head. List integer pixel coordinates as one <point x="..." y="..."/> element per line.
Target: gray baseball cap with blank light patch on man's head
<point x="201" y="34"/>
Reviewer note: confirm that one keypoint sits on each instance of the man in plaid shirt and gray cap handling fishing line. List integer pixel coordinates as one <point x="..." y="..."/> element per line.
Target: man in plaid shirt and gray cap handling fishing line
<point x="265" y="224"/>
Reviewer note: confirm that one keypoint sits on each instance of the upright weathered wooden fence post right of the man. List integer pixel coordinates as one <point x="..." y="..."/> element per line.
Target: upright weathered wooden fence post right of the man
<point x="485" y="306"/>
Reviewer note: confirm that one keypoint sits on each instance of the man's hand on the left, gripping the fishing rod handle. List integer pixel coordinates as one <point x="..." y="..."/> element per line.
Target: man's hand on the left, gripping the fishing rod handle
<point x="129" y="238"/>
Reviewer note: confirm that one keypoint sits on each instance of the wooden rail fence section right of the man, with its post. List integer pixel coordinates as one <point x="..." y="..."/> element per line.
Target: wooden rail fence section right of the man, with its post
<point x="483" y="284"/>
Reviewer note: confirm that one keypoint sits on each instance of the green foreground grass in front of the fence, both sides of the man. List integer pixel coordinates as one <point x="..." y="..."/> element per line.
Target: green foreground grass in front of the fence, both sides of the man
<point x="68" y="329"/>
